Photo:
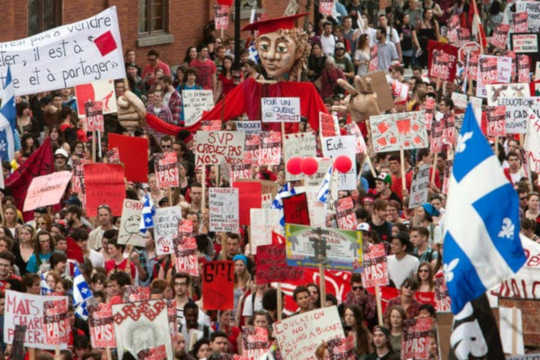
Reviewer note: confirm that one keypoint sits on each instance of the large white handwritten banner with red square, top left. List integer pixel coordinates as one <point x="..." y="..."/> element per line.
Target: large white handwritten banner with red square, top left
<point x="69" y="55"/>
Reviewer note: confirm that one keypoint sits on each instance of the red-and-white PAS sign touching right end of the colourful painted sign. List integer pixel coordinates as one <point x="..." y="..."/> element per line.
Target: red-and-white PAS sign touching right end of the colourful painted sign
<point x="375" y="266"/>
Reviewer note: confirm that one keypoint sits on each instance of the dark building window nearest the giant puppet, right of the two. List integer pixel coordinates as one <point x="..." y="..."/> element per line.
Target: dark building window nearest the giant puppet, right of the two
<point x="153" y="16"/>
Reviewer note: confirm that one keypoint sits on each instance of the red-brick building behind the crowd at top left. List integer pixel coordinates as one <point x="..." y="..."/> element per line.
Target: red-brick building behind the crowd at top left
<point x="169" y="26"/>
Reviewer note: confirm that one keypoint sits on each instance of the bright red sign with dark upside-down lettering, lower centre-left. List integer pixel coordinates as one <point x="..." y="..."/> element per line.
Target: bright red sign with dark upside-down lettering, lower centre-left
<point x="218" y="285"/>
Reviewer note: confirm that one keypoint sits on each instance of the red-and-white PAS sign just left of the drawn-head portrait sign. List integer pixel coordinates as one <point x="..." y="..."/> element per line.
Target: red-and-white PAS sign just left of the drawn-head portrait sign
<point x="100" y="322"/>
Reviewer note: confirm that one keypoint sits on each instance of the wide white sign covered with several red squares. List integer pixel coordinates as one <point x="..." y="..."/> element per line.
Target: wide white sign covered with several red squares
<point x="393" y="132"/>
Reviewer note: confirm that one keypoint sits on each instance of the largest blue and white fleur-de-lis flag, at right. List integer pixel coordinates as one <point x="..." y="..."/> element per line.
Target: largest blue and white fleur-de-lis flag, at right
<point x="482" y="247"/>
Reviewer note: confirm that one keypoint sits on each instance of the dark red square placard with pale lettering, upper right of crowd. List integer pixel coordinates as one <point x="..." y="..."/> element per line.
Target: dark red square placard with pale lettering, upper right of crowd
<point x="442" y="59"/>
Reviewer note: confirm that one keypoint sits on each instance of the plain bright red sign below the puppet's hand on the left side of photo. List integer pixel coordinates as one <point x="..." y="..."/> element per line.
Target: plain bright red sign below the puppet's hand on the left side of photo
<point x="134" y="154"/>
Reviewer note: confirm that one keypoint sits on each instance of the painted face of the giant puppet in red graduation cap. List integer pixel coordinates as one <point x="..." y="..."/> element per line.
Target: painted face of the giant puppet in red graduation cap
<point x="278" y="53"/>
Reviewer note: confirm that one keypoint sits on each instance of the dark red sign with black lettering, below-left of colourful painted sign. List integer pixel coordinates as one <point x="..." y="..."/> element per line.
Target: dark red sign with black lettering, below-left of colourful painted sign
<point x="271" y="261"/>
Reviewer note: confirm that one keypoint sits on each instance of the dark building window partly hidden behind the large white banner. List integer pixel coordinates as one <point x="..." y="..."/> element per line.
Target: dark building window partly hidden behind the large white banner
<point x="43" y="15"/>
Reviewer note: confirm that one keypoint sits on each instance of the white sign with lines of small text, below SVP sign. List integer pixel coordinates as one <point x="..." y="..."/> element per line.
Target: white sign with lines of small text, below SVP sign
<point x="223" y="209"/>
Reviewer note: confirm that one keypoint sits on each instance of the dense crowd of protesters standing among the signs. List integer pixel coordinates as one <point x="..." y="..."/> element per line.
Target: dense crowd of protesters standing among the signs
<point x="341" y="48"/>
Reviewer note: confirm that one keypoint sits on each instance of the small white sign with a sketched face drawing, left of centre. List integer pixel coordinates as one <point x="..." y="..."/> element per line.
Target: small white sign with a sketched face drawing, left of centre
<point x="130" y="223"/>
